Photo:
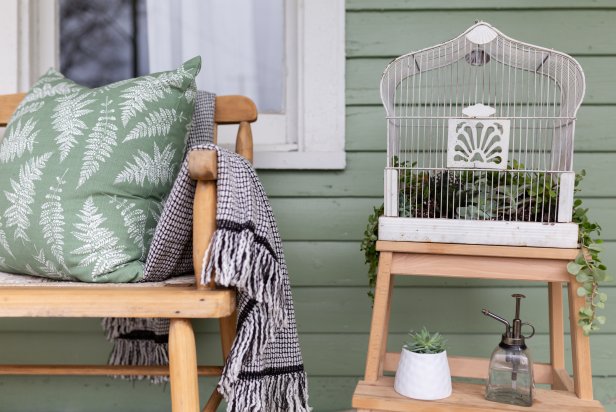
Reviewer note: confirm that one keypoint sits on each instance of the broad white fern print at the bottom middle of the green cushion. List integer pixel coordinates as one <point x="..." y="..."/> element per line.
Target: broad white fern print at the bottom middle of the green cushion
<point x="100" y="245"/>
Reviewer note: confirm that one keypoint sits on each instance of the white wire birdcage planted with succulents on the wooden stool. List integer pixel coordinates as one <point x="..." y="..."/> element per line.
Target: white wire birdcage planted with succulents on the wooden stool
<point x="480" y="143"/>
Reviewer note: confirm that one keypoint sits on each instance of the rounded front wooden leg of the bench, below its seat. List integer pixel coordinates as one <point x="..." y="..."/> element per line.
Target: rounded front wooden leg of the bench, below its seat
<point x="183" y="367"/>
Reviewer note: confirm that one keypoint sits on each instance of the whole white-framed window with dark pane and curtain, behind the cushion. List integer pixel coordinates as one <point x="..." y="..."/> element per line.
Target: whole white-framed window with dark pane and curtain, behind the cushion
<point x="288" y="55"/>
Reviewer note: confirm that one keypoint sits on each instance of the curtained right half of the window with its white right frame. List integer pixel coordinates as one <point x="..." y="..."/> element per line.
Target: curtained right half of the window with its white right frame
<point x="286" y="55"/>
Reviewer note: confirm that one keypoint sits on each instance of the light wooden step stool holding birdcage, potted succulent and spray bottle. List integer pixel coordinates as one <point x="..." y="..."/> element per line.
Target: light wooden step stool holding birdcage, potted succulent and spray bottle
<point x="376" y="393"/>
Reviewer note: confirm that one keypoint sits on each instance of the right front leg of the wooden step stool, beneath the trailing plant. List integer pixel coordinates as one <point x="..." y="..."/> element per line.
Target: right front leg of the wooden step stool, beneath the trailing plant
<point x="580" y="346"/>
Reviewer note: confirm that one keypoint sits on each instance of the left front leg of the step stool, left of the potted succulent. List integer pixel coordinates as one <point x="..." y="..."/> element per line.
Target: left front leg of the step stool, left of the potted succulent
<point x="380" y="315"/>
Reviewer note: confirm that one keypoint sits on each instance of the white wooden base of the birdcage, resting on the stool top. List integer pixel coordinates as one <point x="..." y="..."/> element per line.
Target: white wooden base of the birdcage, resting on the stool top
<point x="482" y="232"/>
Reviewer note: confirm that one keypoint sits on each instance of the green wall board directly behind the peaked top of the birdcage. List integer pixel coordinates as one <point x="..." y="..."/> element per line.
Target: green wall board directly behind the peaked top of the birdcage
<point x="394" y="33"/>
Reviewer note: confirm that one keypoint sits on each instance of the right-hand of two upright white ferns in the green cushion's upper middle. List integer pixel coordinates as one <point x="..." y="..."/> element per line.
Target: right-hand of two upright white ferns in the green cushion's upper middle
<point x="99" y="144"/>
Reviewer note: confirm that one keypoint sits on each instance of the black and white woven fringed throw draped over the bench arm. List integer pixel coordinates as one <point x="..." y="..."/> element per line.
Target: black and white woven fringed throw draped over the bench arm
<point x="264" y="371"/>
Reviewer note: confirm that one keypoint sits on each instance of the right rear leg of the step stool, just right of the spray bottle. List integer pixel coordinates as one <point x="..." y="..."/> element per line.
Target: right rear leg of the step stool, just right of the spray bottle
<point x="557" y="333"/>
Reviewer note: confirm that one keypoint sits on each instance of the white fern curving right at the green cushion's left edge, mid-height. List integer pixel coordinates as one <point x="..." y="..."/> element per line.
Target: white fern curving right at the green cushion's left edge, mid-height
<point x="22" y="195"/>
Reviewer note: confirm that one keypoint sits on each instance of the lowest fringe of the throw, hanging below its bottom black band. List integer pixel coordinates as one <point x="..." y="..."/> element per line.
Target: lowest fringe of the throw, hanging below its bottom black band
<point x="271" y="393"/>
